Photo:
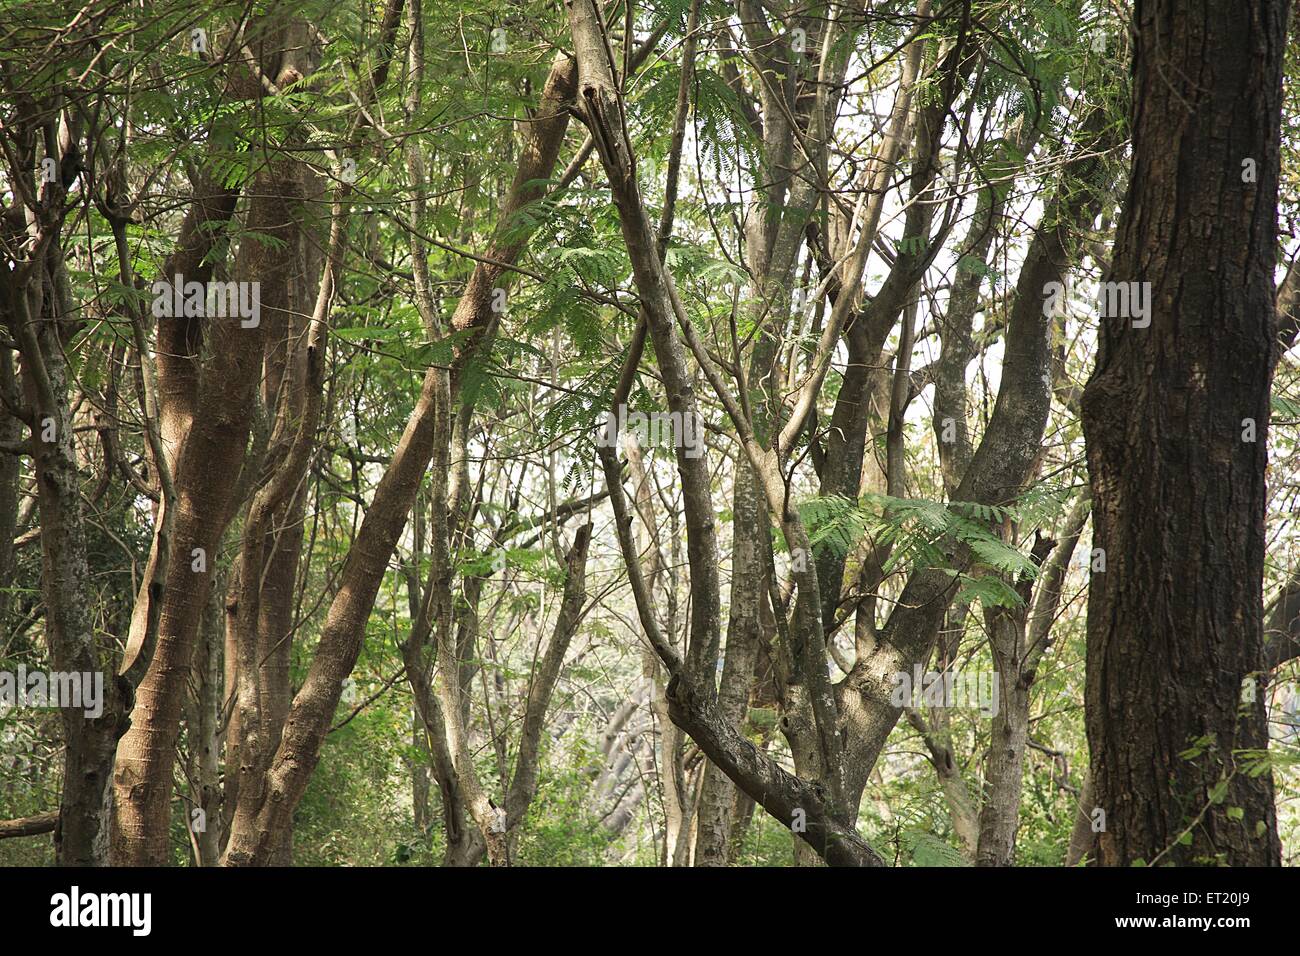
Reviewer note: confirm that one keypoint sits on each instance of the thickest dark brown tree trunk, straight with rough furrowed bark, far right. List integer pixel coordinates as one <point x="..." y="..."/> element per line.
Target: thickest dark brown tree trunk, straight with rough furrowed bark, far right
<point x="1176" y="418"/>
